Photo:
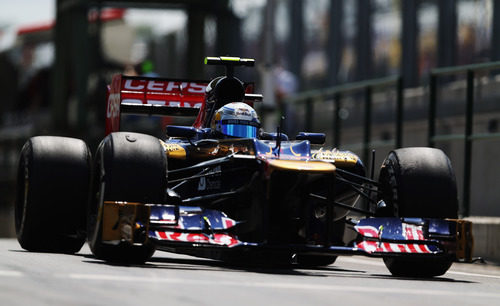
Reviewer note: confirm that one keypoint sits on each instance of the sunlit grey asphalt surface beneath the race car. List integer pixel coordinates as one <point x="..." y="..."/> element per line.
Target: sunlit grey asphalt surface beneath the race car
<point x="171" y="279"/>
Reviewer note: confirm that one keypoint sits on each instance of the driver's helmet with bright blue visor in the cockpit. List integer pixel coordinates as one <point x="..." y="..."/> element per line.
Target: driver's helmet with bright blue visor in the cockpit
<point x="236" y="119"/>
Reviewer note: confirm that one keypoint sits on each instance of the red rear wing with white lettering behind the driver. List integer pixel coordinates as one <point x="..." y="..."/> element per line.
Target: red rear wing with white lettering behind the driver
<point x="152" y="96"/>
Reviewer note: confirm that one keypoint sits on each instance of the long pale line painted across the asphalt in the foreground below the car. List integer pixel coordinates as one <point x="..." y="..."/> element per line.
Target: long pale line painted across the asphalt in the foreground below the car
<point x="282" y="285"/>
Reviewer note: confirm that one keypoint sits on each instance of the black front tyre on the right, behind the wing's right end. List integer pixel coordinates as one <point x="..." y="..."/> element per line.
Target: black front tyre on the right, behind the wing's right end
<point x="418" y="182"/>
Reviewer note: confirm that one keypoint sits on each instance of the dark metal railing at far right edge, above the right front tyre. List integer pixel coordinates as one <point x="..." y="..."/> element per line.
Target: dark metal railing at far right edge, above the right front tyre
<point x="468" y="136"/>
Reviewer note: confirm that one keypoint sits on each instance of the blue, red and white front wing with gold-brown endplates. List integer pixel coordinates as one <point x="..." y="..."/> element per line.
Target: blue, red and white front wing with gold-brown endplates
<point x="173" y="226"/>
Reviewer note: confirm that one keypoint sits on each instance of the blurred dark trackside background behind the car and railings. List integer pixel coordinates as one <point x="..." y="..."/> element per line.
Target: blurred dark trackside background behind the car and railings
<point x="57" y="56"/>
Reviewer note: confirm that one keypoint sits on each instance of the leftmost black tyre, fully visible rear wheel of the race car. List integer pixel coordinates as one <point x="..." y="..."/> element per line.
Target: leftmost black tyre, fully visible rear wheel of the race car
<point x="53" y="182"/>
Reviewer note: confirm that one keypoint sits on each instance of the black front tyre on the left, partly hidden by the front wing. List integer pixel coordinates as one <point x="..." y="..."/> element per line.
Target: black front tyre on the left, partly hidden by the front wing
<point x="129" y="167"/>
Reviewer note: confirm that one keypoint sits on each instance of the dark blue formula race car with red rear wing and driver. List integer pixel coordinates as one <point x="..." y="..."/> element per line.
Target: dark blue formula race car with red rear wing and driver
<point x="225" y="189"/>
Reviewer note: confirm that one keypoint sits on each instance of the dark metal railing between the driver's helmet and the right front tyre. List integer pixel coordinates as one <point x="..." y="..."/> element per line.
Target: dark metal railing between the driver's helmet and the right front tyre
<point x="367" y="87"/>
